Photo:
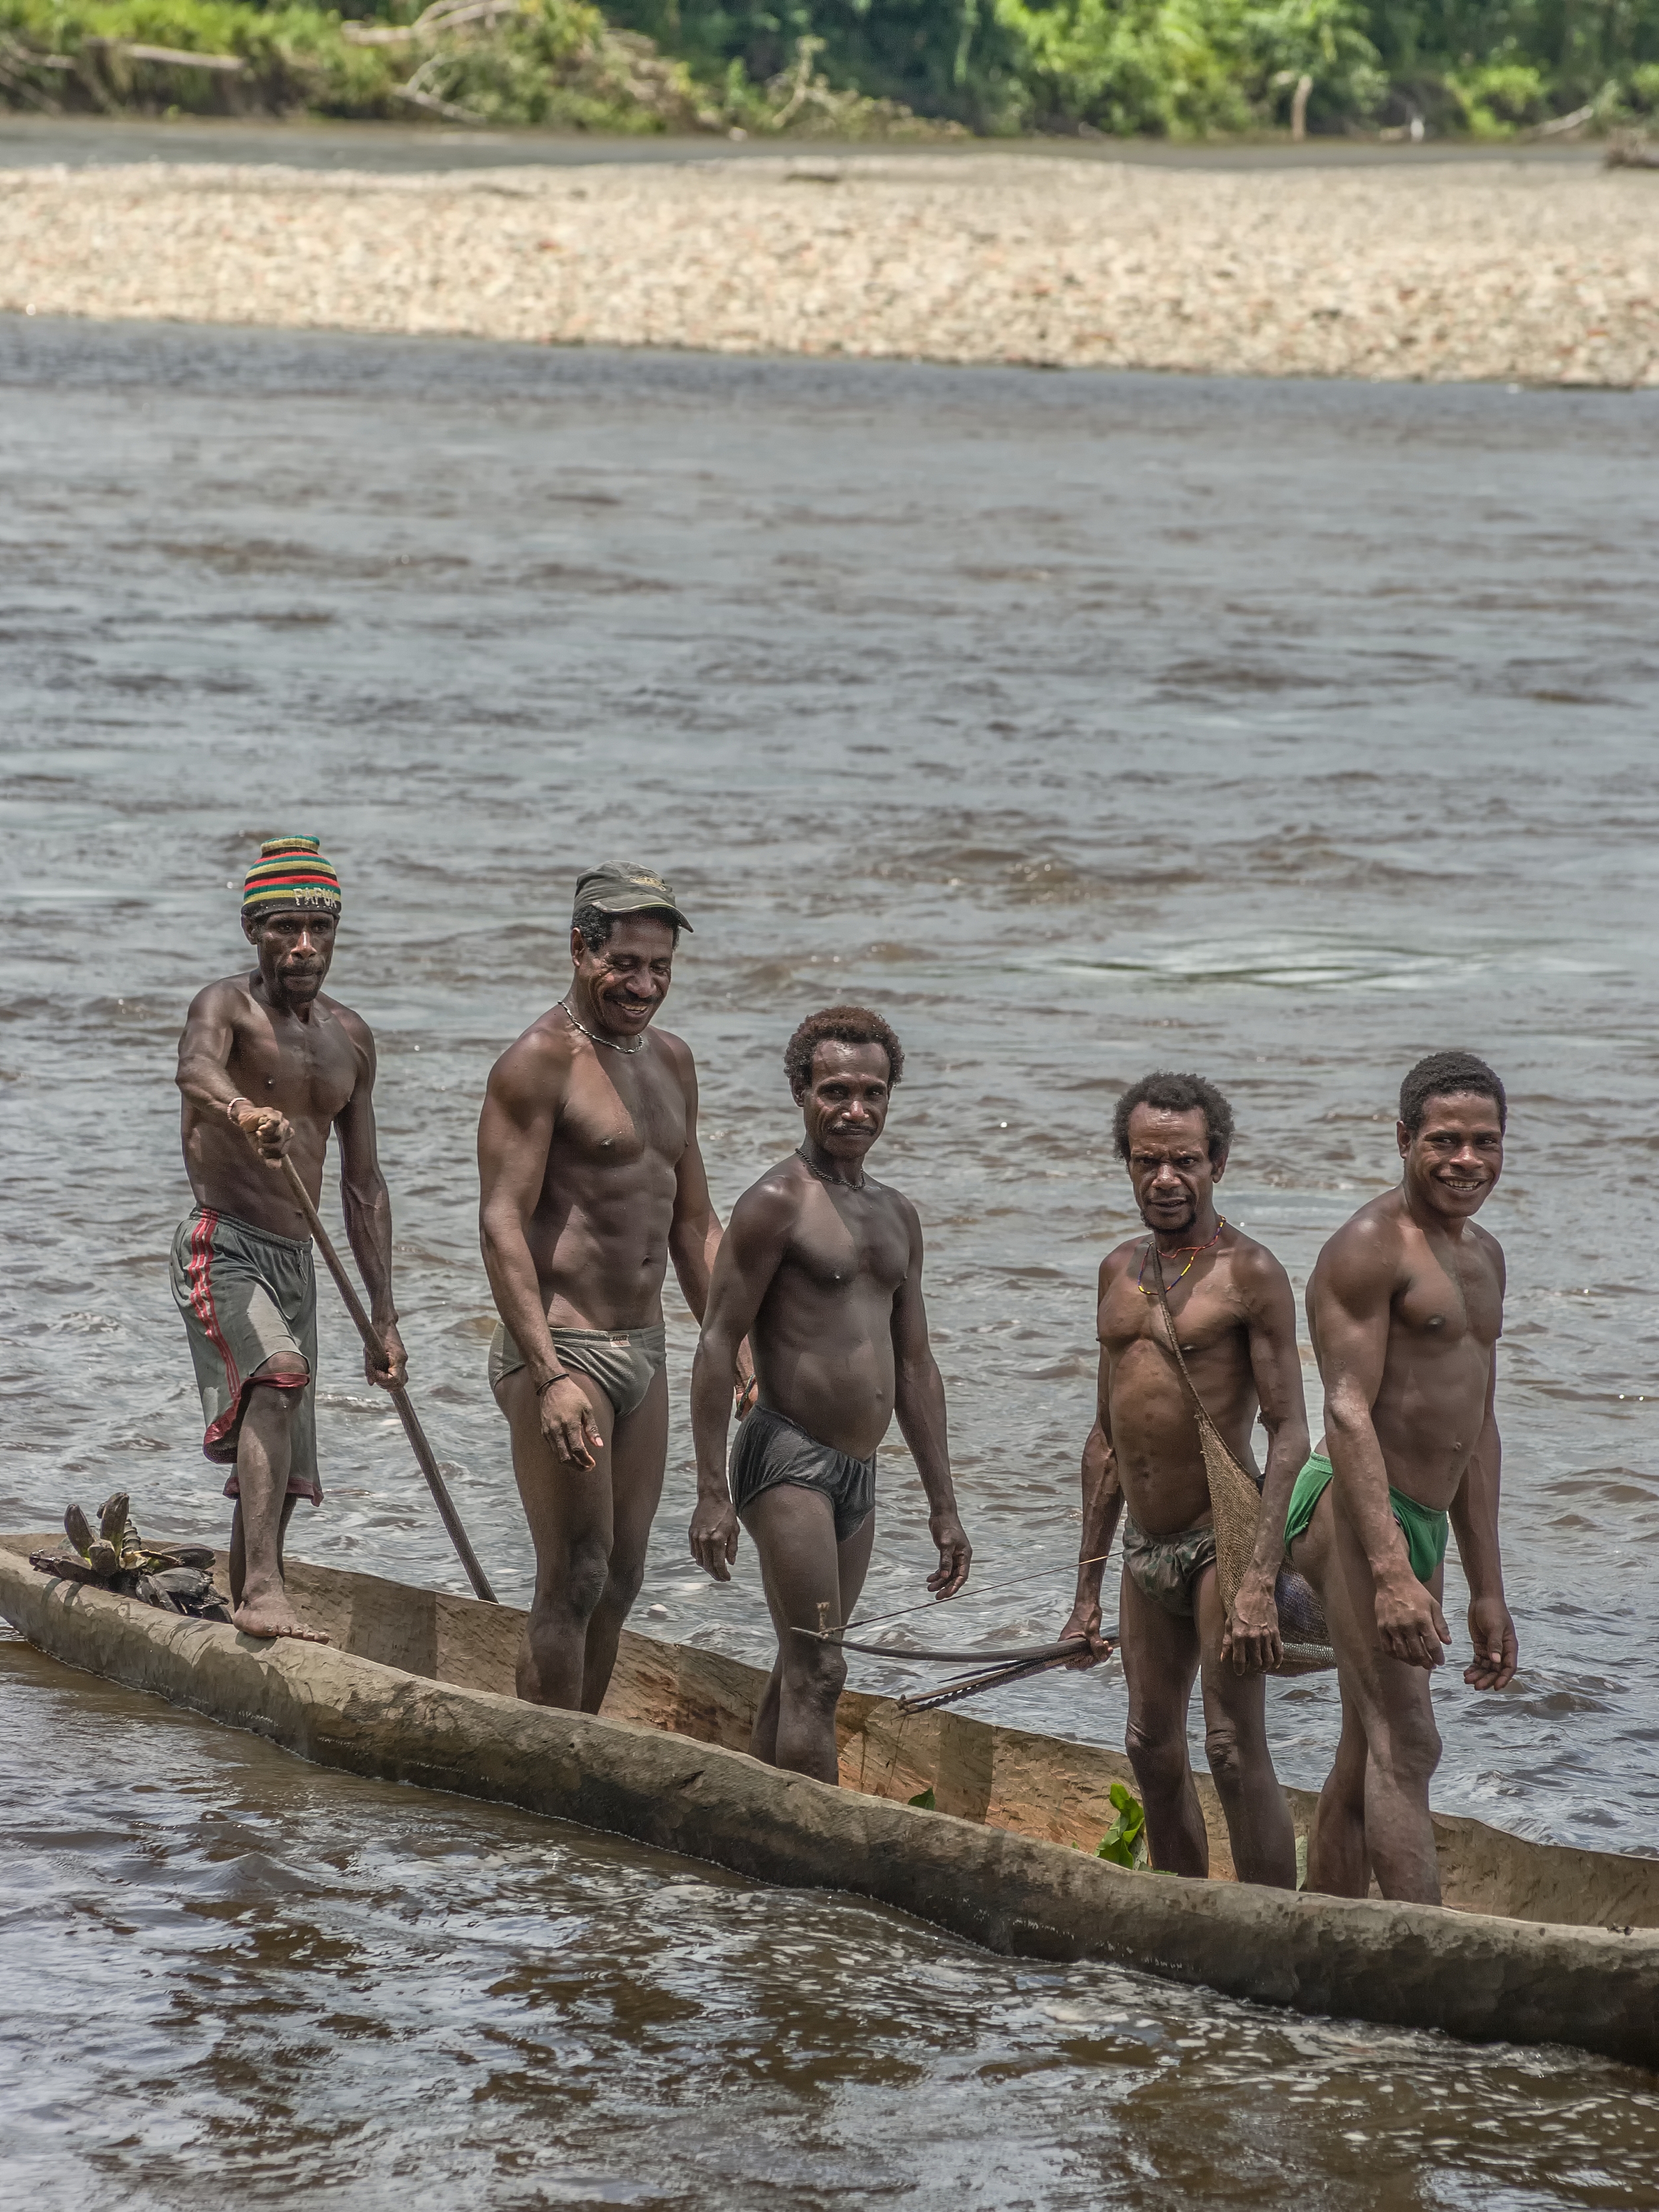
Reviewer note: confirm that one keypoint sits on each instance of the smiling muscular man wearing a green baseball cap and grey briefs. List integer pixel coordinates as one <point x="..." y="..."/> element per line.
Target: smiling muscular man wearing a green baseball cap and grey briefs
<point x="589" y="1187"/>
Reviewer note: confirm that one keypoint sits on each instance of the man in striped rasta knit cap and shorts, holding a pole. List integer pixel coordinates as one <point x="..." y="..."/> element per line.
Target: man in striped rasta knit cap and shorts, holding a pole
<point x="269" y="1067"/>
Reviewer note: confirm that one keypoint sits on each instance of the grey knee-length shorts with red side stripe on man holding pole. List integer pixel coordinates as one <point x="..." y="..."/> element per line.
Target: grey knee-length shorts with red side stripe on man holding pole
<point x="247" y="1295"/>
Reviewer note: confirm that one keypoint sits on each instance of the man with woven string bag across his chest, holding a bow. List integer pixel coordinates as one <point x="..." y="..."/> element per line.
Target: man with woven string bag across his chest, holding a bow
<point x="1235" y="1315"/>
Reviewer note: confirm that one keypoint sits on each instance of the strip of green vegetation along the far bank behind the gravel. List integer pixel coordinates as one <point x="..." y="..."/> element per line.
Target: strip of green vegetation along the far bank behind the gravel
<point x="862" y="67"/>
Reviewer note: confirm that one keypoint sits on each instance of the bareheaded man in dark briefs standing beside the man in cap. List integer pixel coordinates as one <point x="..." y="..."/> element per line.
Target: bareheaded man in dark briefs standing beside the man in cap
<point x="822" y="1269"/>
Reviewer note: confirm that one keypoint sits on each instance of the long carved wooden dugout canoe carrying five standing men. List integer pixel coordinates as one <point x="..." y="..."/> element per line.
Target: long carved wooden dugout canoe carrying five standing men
<point x="1534" y="1945"/>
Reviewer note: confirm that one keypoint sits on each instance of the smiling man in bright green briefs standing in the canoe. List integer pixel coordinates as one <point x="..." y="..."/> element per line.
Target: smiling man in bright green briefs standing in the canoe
<point x="1406" y="1308"/>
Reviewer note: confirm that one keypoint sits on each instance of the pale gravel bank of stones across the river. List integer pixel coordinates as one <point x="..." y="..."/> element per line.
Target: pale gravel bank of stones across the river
<point x="1499" y="271"/>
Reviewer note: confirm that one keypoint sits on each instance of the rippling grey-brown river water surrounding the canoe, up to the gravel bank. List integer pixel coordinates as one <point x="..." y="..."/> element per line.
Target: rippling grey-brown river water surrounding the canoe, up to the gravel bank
<point x="1085" y="724"/>
